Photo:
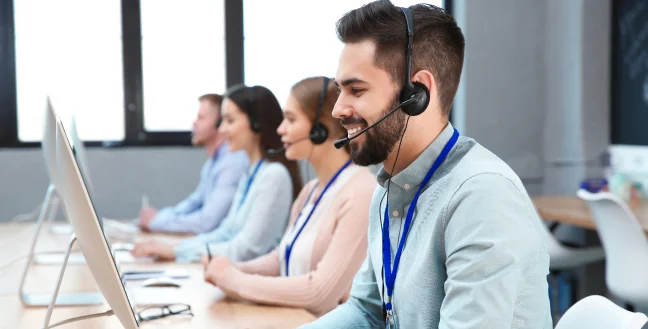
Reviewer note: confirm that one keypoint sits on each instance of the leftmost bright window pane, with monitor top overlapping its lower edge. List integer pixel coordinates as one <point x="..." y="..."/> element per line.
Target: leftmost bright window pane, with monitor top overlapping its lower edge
<point x="72" y="51"/>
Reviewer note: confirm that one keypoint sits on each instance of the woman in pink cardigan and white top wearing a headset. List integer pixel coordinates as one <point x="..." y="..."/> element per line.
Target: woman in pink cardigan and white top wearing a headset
<point x="326" y="241"/>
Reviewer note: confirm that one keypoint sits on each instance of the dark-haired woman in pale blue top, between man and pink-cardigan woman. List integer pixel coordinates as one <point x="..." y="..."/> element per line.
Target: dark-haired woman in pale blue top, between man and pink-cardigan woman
<point x="260" y="209"/>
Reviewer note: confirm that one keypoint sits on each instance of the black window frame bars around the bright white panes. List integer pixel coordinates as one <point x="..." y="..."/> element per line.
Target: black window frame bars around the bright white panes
<point x="135" y="134"/>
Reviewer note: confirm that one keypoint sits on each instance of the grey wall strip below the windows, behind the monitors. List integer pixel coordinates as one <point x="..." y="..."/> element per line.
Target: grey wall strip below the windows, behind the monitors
<point x="119" y="177"/>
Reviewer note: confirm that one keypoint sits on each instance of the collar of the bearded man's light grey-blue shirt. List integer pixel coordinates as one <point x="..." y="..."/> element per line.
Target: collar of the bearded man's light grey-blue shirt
<point x="412" y="176"/>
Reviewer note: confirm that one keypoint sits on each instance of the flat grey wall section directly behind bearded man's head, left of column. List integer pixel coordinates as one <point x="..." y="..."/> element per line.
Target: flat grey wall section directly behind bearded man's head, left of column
<point x="502" y="92"/>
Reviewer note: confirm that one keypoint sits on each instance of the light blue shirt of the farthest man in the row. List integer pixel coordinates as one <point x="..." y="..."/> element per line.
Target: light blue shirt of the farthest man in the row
<point x="206" y="207"/>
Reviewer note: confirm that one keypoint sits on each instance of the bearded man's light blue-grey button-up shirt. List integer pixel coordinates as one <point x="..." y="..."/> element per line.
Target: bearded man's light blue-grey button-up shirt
<point x="475" y="257"/>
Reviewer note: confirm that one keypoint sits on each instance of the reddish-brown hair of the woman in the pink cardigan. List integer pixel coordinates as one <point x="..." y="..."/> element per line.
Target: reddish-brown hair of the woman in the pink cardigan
<point x="308" y="92"/>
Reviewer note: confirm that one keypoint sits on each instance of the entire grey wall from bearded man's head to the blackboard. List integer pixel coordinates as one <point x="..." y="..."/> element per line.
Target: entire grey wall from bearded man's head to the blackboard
<point x="535" y="88"/>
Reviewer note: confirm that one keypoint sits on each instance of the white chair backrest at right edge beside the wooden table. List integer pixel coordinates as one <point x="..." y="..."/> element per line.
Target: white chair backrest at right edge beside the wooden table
<point x="624" y="242"/>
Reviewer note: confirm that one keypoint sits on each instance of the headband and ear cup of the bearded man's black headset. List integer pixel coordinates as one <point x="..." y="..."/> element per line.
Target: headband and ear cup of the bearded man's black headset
<point x="412" y="89"/>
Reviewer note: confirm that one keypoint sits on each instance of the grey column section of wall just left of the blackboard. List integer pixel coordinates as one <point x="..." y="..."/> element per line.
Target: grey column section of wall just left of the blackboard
<point x="578" y="99"/>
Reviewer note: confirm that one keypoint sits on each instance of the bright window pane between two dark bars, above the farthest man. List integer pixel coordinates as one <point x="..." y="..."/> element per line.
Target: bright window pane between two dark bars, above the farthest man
<point x="183" y="57"/>
